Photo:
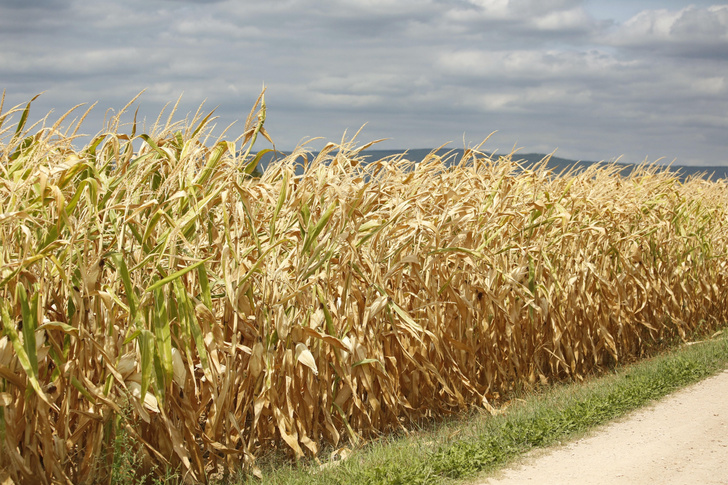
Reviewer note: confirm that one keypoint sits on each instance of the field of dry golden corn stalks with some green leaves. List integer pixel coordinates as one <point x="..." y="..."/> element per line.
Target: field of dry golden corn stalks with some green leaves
<point x="150" y="285"/>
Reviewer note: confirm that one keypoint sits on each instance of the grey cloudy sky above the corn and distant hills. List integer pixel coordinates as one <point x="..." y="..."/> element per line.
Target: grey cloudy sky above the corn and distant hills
<point x="594" y="79"/>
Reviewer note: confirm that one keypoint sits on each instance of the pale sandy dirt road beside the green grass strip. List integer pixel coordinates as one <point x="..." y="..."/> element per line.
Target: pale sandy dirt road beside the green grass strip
<point x="682" y="439"/>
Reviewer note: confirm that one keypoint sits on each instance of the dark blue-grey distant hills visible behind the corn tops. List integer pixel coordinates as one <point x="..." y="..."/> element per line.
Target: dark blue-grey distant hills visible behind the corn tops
<point x="556" y="164"/>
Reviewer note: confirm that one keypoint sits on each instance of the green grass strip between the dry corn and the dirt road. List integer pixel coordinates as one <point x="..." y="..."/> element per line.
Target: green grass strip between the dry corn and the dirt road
<point x="464" y="447"/>
